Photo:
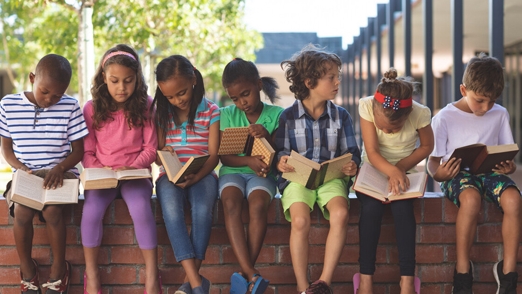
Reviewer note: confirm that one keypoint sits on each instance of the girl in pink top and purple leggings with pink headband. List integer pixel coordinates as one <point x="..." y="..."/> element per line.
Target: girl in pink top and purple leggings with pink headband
<point x="121" y="136"/>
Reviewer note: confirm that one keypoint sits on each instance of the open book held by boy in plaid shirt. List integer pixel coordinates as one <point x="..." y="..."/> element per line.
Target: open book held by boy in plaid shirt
<point x="312" y="174"/>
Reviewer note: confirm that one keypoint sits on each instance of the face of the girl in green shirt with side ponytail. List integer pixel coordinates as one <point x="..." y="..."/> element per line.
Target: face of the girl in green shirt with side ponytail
<point x="245" y="95"/>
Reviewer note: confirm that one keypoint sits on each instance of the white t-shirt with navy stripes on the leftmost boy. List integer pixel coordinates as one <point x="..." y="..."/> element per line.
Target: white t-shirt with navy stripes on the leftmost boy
<point x="41" y="136"/>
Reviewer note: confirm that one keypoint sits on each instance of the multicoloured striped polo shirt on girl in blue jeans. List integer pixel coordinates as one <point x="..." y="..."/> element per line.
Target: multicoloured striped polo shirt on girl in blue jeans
<point x="190" y="141"/>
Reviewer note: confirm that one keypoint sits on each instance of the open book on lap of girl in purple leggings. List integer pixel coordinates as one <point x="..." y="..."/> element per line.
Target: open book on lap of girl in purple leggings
<point x="104" y="178"/>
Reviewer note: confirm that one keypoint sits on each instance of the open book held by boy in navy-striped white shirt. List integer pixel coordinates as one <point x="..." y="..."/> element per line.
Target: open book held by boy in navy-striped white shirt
<point x="27" y="189"/>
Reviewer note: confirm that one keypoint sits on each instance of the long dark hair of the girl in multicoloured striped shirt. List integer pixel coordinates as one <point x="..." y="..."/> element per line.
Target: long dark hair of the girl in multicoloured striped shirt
<point x="176" y="65"/>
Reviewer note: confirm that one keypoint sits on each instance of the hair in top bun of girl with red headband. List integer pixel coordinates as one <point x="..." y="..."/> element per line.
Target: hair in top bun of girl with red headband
<point x="398" y="88"/>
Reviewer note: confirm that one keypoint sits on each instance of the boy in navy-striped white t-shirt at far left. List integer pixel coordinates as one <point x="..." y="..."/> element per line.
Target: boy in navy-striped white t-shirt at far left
<point x="41" y="133"/>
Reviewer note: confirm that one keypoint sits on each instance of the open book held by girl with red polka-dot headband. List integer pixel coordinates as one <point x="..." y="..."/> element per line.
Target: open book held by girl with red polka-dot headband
<point x="373" y="183"/>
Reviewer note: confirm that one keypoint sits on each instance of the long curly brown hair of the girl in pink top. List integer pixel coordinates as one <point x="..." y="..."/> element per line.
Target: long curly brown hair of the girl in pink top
<point x="135" y="108"/>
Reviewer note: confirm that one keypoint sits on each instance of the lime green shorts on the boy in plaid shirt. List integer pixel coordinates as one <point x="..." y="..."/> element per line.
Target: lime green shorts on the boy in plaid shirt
<point x="295" y="192"/>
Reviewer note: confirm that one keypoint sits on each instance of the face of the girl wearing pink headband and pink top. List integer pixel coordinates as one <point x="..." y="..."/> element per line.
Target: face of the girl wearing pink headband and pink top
<point x="121" y="82"/>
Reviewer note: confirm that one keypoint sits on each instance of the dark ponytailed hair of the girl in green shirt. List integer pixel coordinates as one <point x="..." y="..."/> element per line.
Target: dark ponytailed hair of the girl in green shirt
<point x="241" y="70"/>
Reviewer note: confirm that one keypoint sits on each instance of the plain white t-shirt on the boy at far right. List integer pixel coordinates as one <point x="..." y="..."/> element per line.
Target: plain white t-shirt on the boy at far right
<point x="455" y="128"/>
